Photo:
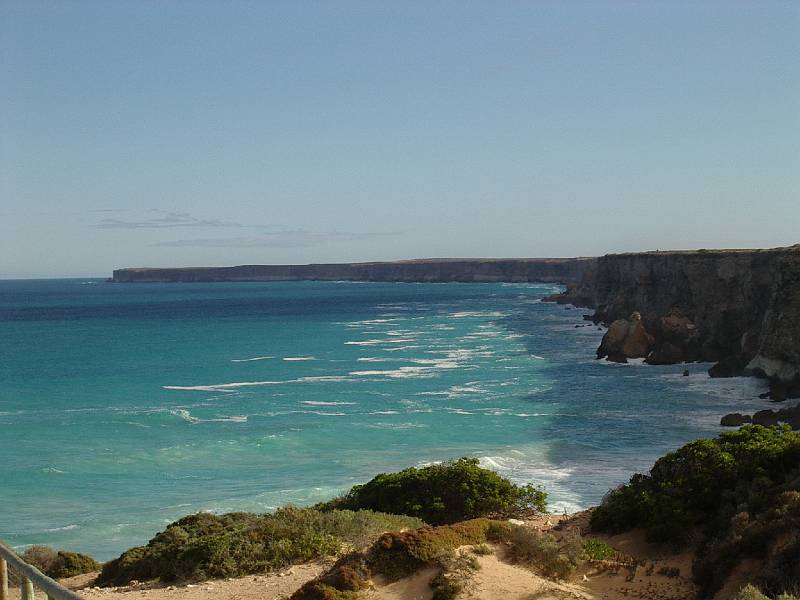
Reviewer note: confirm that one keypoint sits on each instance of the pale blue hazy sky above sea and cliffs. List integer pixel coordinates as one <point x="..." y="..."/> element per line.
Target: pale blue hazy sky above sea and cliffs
<point x="218" y="133"/>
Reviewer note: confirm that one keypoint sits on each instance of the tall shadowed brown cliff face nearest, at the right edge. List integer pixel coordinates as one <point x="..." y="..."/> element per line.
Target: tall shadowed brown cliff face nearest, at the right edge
<point x="738" y="307"/>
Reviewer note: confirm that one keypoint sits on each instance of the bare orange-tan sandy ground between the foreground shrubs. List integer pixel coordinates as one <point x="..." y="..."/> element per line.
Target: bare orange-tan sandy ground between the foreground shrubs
<point x="644" y="572"/>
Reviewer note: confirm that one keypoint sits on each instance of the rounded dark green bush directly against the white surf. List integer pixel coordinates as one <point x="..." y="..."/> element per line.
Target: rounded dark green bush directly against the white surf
<point x="443" y="493"/>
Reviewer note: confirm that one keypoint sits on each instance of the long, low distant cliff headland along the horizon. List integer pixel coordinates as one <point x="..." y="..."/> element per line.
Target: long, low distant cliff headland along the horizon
<point x="556" y="270"/>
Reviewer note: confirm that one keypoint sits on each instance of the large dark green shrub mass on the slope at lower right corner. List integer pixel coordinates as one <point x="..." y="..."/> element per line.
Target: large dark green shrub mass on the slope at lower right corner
<point x="735" y="496"/>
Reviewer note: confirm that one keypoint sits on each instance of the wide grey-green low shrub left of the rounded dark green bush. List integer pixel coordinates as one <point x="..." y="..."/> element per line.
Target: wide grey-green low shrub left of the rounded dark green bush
<point x="204" y="546"/>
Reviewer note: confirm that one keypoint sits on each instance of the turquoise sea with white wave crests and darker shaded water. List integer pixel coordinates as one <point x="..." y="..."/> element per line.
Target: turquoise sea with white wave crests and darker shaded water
<point x="124" y="407"/>
